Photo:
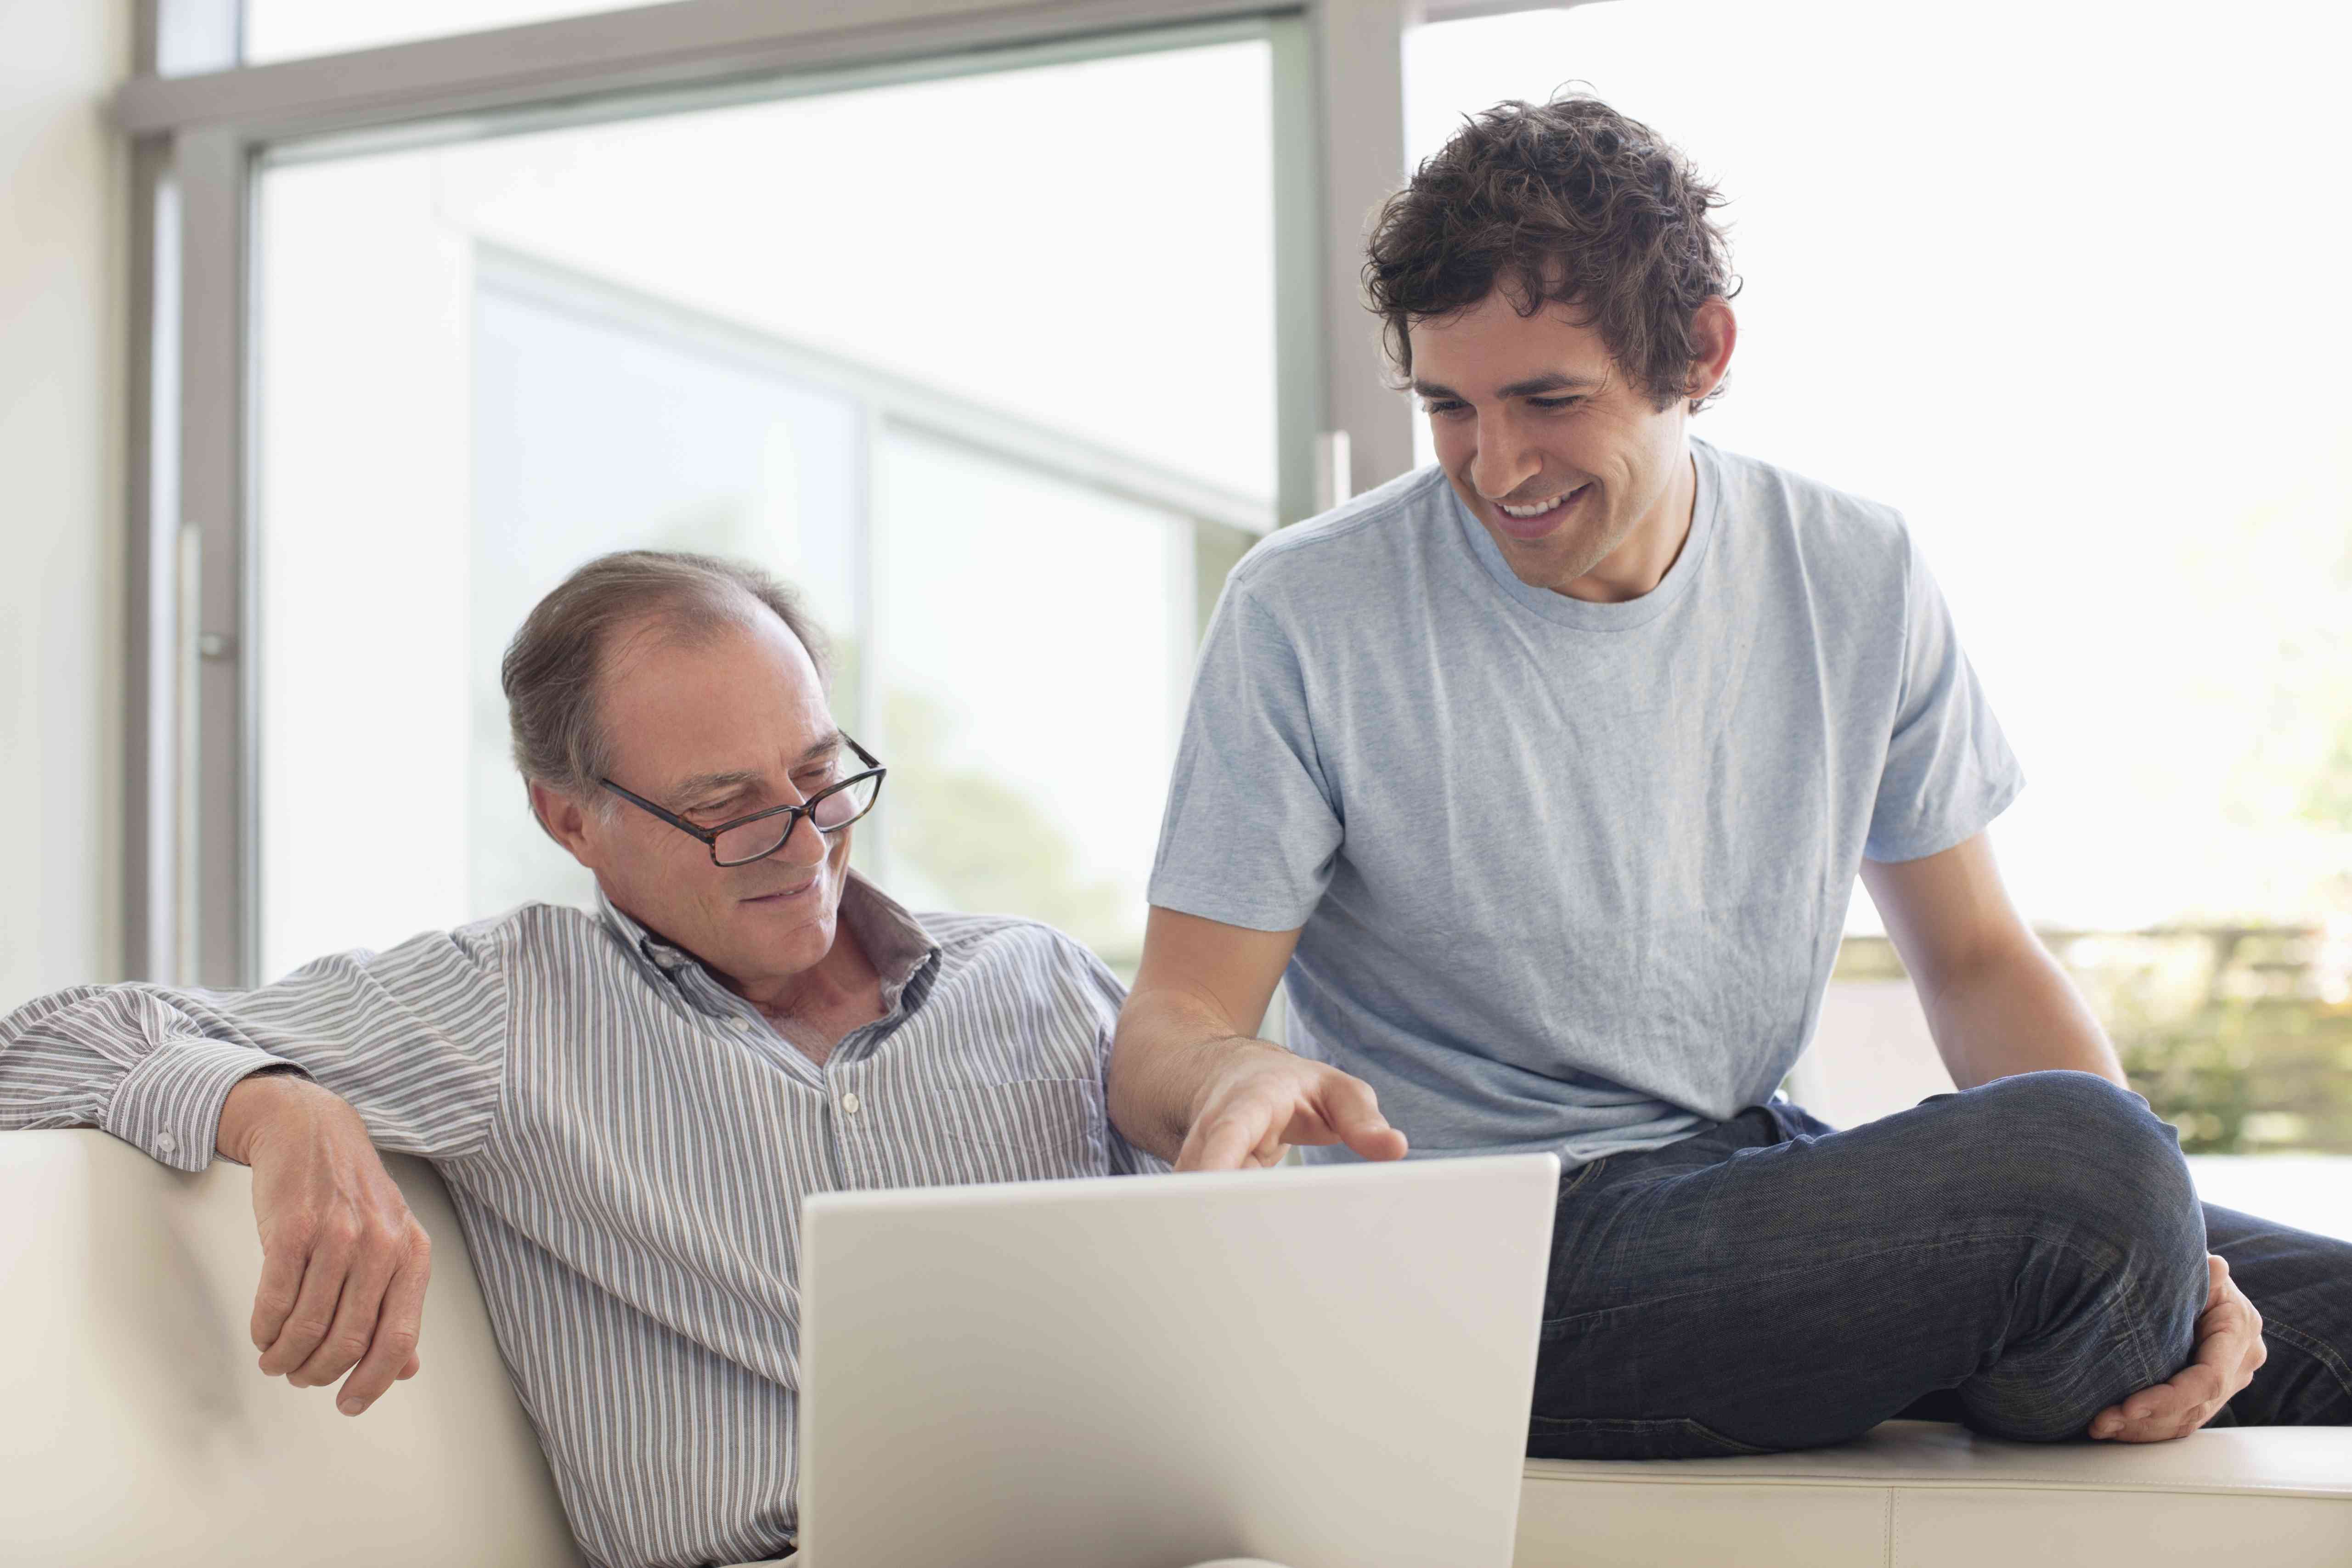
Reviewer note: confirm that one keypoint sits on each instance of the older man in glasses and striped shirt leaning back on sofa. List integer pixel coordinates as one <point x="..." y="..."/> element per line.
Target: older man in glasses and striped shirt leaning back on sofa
<point x="627" y="1106"/>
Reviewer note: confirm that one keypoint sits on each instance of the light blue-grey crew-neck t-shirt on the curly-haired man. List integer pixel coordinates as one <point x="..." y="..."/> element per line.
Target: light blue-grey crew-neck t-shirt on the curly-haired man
<point x="1572" y="876"/>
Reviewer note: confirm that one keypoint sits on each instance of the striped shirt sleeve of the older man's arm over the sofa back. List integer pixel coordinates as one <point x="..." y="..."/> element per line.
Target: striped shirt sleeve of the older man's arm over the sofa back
<point x="413" y="1038"/>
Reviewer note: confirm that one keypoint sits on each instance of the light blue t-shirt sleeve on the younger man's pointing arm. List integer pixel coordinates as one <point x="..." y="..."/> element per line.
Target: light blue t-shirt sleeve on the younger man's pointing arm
<point x="1252" y="824"/>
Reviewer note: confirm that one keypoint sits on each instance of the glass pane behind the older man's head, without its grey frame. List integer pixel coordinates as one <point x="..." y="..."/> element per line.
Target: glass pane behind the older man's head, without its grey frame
<point x="984" y="366"/>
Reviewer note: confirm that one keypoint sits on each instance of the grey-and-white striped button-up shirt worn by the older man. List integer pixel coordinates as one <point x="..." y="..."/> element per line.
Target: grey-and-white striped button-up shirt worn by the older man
<point x="629" y="1146"/>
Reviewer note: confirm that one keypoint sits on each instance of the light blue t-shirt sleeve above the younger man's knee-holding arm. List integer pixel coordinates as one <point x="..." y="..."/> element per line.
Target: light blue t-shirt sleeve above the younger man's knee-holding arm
<point x="1949" y="768"/>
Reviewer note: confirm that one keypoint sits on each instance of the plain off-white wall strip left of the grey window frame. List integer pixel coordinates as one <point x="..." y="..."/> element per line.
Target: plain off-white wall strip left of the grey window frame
<point x="62" y="309"/>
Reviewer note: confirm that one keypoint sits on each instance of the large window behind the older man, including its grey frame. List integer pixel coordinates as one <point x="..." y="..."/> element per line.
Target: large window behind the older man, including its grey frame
<point x="1001" y="330"/>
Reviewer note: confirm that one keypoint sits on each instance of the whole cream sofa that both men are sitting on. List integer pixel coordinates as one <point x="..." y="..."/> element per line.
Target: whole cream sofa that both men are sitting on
<point x="135" y="1430"/>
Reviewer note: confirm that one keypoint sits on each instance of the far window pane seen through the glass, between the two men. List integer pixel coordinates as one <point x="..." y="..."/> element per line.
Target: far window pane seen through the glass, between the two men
<point x="1034" y="655"/>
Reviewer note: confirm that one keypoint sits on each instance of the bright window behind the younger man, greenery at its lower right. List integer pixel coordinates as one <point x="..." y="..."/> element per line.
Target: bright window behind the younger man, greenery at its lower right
<point x="2043" y="279"/>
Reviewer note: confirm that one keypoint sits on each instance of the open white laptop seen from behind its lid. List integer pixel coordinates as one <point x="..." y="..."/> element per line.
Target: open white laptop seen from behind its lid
<point x="1318" y="1367"/>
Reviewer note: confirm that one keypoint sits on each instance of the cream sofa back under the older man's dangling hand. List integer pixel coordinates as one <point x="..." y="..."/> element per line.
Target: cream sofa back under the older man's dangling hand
<point x="135" y="1426"/>
